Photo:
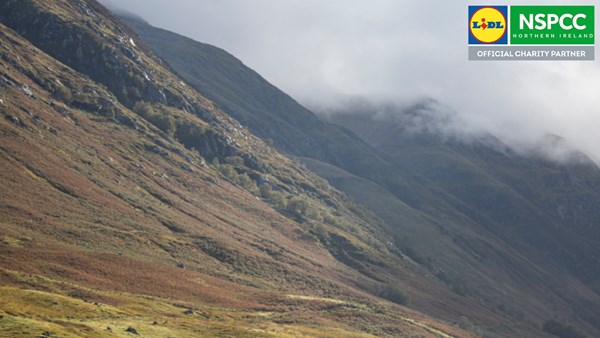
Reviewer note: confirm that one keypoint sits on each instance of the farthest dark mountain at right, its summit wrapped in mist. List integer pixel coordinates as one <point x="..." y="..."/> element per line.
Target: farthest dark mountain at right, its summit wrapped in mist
<point x="548" y="205"/>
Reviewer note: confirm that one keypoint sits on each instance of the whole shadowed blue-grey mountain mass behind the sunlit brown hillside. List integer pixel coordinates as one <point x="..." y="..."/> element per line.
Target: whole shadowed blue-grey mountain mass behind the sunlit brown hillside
<point x="514" y="234"/>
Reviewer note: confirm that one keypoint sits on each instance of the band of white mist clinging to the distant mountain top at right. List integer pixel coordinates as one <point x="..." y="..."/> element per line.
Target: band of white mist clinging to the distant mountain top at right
<point x="428" y="120"/>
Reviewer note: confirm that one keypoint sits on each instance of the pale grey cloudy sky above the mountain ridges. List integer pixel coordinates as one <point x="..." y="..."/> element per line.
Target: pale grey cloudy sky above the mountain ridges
<point x="324" y="52"/>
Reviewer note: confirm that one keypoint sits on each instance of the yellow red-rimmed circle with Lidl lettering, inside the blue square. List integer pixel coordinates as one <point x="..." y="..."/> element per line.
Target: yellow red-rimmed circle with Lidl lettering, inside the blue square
<point x="488" y="25"/>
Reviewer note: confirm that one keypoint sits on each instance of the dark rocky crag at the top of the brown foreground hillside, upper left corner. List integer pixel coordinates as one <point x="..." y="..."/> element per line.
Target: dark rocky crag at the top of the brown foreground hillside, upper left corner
<point x="114" y="61"/>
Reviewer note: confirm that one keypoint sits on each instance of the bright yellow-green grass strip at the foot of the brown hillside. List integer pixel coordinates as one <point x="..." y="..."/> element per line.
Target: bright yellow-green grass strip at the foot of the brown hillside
<point x="33" y="313"/>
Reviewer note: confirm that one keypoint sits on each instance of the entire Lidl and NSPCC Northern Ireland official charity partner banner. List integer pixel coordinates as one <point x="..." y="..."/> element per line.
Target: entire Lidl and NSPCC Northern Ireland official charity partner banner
<point x="565" y="33"/>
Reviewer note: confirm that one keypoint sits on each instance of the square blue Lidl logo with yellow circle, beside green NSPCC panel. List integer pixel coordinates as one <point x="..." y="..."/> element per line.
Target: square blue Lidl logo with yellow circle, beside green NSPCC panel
<point x="488" y="25"/>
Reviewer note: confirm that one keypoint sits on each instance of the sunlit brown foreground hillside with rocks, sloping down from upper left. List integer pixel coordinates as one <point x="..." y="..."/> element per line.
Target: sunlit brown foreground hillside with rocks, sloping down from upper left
<point x="112" y="222"/>
